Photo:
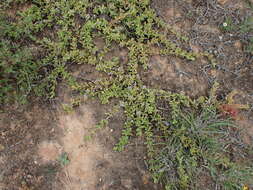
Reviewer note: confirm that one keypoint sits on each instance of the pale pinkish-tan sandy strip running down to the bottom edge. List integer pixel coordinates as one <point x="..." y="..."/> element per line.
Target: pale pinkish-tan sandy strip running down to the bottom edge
<point x="82" y="156"/>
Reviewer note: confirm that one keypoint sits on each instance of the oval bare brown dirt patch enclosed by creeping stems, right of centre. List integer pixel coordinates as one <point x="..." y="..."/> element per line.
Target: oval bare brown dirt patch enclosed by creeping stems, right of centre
<point x="174" y="74"/>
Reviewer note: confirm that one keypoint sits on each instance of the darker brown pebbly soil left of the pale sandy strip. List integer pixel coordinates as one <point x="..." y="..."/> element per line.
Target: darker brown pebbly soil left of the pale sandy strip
<point x="21" y="132"/>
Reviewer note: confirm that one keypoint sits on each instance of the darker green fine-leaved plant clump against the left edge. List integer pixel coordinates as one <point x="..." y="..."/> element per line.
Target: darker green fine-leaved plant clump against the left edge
<point x="18" y="68"/>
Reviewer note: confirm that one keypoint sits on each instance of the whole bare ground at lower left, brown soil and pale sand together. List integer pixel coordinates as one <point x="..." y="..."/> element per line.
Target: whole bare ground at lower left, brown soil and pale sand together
<point x="34" y="162"/>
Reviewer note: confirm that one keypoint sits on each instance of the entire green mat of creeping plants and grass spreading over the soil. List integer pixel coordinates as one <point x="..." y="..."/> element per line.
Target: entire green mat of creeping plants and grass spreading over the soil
<point x="46" y="39"/>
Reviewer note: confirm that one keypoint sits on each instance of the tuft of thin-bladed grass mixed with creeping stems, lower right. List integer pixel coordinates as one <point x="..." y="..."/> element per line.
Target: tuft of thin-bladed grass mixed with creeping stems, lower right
<point x="201" y="150"/>
